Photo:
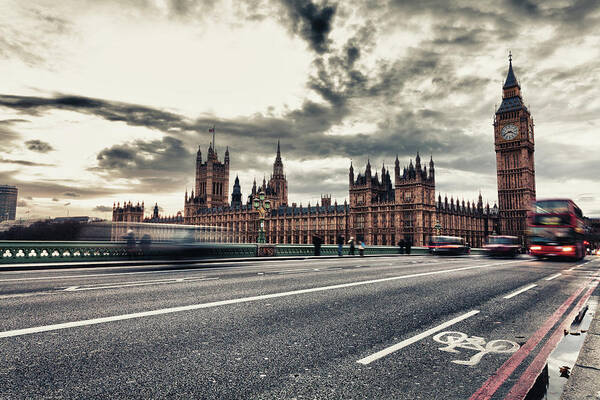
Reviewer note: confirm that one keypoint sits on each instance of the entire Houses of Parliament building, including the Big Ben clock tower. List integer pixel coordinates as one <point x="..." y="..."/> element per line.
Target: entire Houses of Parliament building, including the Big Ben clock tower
<point x="384" y="206"/>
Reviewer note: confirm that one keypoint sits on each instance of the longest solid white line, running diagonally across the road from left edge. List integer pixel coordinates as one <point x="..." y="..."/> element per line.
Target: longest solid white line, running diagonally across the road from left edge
<point x="94" y="321"/>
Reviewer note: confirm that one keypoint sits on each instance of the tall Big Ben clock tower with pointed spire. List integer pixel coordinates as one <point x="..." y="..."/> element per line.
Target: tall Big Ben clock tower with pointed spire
<point x="514" y="144"/>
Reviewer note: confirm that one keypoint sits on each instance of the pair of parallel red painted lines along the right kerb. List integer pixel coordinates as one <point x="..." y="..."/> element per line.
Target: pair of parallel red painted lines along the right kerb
<point x="520" y="389"/>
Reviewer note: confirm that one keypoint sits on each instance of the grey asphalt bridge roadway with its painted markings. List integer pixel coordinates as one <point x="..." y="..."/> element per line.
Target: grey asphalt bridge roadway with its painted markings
<point x="325" y="328"/>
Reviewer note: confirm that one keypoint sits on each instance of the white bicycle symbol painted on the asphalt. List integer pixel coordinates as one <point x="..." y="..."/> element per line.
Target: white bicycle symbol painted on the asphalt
<point x="455" y="340"/>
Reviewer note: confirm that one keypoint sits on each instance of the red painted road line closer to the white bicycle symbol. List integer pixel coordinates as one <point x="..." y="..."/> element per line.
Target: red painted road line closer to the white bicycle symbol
<point x="490" y="386"/>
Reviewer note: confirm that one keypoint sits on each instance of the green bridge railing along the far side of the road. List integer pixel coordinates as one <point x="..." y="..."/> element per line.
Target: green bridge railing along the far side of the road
<point x="13" y="252"/>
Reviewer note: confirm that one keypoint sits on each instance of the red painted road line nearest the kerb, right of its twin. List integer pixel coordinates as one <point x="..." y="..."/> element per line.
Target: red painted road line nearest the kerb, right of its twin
<point x="521" y="388"/>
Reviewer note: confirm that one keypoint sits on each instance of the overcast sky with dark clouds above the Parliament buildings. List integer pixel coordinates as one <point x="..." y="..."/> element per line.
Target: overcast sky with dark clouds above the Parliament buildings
<point x="104" y="101"/>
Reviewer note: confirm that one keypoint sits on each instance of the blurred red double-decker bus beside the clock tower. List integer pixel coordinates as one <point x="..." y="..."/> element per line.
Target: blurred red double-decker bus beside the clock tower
<point x="556" y="229"/>
